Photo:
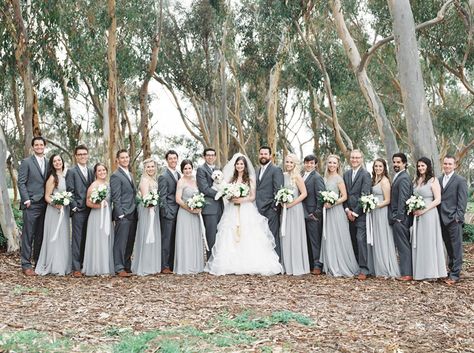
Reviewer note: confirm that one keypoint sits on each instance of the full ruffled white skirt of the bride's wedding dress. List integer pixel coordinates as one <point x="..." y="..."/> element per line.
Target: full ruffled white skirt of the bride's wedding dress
<point x="244" y="243"/>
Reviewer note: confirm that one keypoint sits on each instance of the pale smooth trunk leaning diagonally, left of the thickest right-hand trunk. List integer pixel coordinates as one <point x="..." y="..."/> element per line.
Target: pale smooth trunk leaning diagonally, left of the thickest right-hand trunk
<point x="375" y="104"/>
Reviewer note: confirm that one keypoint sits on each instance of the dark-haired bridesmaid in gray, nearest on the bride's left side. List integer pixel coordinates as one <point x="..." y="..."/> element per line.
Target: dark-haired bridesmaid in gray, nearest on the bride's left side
<point x="189" y="249"/>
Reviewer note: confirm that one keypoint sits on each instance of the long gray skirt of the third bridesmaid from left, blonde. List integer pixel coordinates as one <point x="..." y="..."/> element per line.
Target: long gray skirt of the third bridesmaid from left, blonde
<point x="147" y="249"/>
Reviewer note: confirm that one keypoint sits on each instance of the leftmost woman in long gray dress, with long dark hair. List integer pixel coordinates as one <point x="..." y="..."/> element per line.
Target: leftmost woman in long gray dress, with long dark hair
<point x="55" y="254"/>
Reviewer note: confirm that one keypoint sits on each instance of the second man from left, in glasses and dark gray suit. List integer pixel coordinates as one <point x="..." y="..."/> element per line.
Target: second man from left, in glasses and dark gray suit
<point x="78" y="180"/>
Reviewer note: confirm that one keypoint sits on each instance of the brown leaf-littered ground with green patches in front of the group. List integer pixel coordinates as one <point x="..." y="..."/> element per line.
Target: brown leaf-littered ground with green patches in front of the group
<point x="203" y="313"/>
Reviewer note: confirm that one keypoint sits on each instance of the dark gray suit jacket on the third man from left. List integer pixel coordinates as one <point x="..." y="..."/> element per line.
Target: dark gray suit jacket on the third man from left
<point x="123" y="194"/>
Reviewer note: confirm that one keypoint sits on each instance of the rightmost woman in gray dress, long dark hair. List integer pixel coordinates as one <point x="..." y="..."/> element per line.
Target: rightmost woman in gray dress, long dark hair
<point x="429" y="261"/>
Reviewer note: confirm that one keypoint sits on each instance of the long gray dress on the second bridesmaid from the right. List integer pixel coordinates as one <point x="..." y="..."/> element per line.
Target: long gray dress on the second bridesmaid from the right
<point x="384" y="253"/>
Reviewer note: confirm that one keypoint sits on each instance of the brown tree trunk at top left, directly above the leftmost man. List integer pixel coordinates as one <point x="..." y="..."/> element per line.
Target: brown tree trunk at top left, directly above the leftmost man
<point x="22" y="56"/>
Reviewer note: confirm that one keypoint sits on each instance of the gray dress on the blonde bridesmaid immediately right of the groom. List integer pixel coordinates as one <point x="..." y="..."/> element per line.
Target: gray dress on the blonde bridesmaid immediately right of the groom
<point x="294" y="246"/>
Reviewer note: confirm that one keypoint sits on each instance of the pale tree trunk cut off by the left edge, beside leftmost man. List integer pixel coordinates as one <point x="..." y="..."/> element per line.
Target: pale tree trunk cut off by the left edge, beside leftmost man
<point x="7" y="221"/>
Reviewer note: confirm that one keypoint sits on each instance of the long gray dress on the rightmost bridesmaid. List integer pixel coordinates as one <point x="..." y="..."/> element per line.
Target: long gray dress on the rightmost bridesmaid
<point x="429" y="260"/>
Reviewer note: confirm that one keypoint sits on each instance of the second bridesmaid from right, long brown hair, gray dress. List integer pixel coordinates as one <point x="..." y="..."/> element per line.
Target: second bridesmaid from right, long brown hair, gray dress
<point x="384" y="253"/>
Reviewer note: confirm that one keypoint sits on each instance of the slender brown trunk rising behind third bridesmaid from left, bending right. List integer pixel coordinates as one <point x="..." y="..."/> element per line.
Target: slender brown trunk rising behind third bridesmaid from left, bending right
<point x="143" y="93"/>
